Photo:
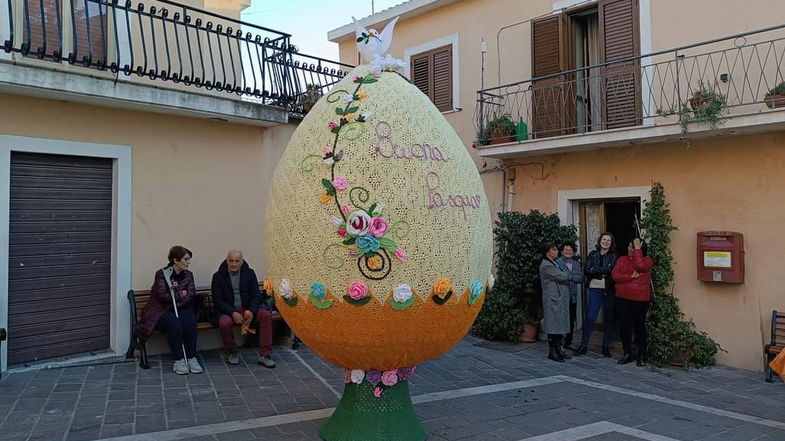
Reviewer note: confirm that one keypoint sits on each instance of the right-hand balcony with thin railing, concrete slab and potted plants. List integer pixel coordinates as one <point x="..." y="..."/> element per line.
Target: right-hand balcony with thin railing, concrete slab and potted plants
<point x="652" y="98"/>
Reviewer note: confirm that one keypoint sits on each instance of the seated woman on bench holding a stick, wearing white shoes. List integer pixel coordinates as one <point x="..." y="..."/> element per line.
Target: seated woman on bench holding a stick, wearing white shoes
<point x="159" y="312"/>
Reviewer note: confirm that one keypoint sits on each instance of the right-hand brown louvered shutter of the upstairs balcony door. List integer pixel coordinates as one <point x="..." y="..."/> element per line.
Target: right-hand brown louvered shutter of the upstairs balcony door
<point x="620" y="38"/>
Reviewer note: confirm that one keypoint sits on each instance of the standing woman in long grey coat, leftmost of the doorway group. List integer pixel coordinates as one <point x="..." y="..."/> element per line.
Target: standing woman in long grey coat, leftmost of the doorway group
<point x="555" y="301"/>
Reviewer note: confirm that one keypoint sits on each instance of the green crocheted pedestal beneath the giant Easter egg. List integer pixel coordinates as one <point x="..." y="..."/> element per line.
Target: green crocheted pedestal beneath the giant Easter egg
<point x="362" y="417"/>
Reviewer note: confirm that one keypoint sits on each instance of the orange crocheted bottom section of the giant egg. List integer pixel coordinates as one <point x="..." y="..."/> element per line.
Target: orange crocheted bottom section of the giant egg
<point x="377" y="335"/>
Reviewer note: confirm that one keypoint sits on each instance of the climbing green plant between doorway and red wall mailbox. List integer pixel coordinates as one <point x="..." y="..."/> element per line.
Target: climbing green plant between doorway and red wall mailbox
<point x="672" y="339"/>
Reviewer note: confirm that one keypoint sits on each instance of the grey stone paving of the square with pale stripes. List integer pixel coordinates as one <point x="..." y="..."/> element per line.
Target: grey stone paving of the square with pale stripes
<point x="478" y="391"/>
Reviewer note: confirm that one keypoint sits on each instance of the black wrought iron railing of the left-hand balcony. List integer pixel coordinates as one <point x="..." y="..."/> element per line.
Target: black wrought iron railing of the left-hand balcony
<point x="161" y="40"/>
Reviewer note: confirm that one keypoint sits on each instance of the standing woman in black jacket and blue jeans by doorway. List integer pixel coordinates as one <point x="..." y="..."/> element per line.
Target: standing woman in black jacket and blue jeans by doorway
<point x="599" y="265"/>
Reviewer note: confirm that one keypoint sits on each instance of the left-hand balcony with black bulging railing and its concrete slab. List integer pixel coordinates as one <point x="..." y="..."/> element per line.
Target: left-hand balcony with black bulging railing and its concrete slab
<point x="187" y="55"/>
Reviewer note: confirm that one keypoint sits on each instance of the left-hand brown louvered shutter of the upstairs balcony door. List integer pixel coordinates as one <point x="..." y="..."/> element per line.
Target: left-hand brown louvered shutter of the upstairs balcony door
<point x="547" y="94"/>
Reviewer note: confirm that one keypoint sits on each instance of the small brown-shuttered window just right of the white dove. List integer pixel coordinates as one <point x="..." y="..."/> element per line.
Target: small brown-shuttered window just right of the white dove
<point x="431" y="72"/>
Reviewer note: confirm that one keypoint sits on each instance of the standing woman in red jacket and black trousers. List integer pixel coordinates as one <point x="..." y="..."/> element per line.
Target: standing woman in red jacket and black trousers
<point x="632" y="275"/>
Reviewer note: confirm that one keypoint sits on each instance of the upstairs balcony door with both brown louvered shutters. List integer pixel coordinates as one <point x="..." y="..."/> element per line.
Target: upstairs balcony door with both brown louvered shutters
<point x="568" y="99"/>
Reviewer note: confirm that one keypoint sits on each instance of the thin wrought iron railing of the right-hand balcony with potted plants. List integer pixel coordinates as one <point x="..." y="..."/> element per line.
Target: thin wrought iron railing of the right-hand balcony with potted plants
<point x="735" y="74"/>
